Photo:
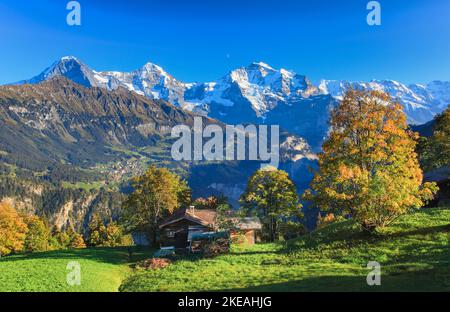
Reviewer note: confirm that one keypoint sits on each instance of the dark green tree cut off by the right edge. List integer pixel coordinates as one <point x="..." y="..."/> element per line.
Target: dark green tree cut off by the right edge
<point x="434" y="151"/>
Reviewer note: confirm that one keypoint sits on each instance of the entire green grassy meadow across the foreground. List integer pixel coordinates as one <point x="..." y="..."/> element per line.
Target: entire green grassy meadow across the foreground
<point x="414" y="254"/>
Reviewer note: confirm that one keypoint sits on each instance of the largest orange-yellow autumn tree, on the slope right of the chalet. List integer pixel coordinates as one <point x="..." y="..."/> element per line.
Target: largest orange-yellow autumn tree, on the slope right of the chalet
<point x="368" y="168"/>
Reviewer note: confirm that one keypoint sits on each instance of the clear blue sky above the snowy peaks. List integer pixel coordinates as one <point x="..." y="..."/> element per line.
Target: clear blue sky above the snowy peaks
<point x="202" y="40"/>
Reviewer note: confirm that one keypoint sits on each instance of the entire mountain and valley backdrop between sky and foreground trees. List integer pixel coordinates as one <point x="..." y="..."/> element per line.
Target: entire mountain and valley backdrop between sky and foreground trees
<point x="72" y="137"/>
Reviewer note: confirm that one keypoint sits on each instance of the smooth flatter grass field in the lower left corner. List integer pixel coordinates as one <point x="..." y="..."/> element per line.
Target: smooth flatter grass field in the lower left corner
<point x="102" y="269"/>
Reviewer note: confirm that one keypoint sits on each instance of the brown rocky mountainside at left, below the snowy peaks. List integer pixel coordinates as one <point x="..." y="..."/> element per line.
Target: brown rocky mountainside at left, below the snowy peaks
<point x="59" y="121"/>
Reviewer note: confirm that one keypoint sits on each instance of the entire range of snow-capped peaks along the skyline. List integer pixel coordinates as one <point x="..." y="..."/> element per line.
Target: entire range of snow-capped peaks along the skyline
<point x="255" y="93"/>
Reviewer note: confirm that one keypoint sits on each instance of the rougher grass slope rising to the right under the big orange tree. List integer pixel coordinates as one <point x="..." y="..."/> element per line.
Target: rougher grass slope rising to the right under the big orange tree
<point x="414" y="255"/>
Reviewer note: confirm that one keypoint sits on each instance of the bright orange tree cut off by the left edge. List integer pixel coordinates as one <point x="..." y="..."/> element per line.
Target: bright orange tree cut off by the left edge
<point x="12" y="230"/>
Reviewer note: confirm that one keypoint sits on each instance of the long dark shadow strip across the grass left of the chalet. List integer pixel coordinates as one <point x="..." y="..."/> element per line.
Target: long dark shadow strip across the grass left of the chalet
<point x="111" y="255"/>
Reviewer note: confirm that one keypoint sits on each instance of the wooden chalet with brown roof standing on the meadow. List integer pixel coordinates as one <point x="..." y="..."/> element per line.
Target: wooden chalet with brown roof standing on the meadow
<point x="178" y="229"/>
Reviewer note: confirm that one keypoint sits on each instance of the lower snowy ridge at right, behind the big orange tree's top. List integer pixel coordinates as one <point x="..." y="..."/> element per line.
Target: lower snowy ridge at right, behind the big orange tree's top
<point x="421" y="103"/>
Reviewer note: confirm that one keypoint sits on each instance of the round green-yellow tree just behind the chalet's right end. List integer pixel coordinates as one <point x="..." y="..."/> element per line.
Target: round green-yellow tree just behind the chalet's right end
<point x="272" y="196"/>
